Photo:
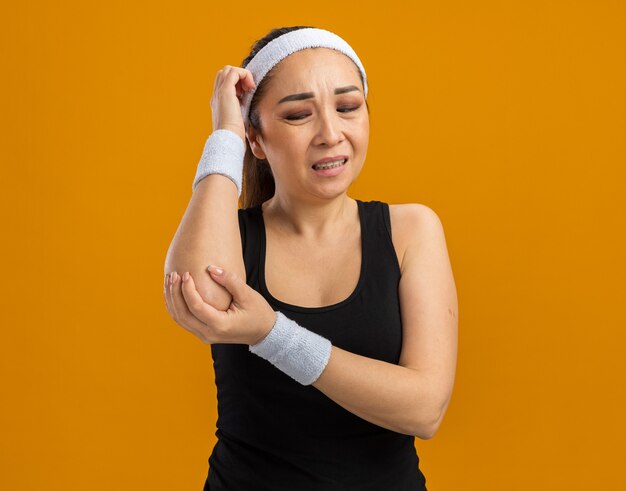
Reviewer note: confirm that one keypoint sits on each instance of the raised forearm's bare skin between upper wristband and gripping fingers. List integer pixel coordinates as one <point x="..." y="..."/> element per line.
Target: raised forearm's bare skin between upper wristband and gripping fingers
<point x="209" y="234"/>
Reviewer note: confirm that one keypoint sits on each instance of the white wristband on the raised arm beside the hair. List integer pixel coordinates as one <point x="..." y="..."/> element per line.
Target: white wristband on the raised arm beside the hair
<point x="223" y="154"/>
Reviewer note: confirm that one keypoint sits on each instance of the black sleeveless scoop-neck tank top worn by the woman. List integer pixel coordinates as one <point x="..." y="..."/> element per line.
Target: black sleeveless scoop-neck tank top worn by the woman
<point x="276" y="434"/>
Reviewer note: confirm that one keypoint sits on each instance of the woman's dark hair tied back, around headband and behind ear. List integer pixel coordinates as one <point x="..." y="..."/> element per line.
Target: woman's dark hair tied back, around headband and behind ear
<point x="258" y="181"/>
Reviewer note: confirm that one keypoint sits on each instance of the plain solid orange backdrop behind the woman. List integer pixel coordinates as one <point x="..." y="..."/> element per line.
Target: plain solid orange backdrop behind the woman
<point x="507" y="118"/>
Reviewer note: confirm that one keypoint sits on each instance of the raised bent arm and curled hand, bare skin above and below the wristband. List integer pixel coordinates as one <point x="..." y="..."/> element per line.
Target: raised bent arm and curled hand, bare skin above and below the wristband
<point x="209" y="230"/>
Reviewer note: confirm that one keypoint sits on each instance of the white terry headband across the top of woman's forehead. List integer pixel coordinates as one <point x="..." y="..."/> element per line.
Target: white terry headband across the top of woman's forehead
<point x="289" y="43"/>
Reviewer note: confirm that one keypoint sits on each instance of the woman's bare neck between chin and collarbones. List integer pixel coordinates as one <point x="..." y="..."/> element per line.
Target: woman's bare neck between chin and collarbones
<point x="316" y="221"/>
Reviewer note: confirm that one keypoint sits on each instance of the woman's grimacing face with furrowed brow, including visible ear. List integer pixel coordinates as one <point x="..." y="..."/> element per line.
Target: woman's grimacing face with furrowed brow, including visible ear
<point x="313" y="108"/>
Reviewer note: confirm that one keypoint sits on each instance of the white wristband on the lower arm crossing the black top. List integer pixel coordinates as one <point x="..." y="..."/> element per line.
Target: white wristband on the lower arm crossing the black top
<point x="300" y="353"/>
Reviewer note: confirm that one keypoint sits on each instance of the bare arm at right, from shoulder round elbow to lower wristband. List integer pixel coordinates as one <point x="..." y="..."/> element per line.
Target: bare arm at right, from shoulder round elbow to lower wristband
<point x="411" y="397"/>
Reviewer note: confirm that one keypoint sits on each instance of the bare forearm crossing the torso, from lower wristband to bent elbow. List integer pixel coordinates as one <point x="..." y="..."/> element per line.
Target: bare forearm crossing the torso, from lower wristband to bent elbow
<point x="394" y="397"/>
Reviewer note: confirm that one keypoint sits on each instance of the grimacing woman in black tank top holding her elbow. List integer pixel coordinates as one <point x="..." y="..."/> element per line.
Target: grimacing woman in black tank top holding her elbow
<point x="333" y="340"/>
